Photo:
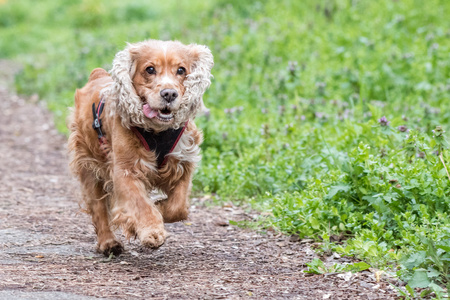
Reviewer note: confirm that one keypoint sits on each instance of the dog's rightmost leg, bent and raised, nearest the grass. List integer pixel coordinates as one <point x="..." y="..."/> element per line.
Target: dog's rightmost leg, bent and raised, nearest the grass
<point x="175" y="207"/>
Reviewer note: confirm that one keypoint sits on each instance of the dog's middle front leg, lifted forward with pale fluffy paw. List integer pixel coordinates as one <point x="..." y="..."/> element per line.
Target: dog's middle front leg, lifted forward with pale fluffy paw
<point x="133" y="212"/>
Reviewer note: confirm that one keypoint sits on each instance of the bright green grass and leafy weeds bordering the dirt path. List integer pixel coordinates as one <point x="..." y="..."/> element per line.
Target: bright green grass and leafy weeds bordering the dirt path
<point x="297" y="101"/>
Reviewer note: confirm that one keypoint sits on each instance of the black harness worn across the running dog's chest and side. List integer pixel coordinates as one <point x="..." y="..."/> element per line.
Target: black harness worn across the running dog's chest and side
<point x="161" y="143"/>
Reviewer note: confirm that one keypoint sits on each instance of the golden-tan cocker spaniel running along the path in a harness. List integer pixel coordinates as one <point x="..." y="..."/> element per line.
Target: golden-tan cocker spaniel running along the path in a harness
<point x="154" y="88"/>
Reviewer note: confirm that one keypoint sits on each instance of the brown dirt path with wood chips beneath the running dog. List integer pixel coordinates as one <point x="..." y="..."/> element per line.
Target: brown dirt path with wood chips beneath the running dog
<point x="47" y="246"/>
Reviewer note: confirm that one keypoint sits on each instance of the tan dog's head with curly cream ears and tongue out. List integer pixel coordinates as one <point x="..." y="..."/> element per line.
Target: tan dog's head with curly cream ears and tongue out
<point x="159" y="84"/>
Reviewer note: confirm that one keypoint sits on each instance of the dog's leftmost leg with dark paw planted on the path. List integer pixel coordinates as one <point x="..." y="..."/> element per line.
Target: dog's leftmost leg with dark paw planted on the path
<point x="96" y="201"/>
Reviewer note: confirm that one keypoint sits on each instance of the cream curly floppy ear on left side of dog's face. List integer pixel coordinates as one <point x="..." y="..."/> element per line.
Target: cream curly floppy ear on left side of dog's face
<point x="127" y="102"/>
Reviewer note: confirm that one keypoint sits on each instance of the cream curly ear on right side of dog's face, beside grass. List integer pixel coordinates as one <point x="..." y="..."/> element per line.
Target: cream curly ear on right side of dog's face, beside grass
<point x="199" y="78"/>
